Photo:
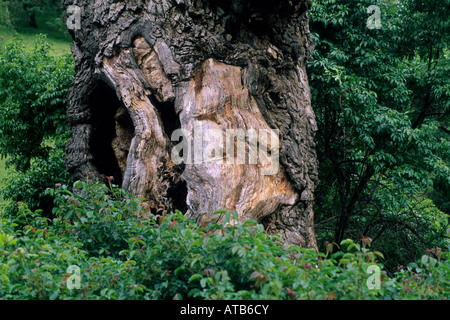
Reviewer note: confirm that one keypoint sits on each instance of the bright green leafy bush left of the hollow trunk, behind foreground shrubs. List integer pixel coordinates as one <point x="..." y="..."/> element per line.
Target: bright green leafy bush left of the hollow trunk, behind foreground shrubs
<point x="33" y="128"/>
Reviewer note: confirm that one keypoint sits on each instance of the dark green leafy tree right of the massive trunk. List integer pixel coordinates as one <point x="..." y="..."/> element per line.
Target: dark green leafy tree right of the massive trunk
<point x="382" y="102"/>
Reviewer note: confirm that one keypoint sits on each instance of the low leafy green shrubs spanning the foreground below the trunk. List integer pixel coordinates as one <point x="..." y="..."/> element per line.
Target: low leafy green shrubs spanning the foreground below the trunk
<point x="170" y="257"/>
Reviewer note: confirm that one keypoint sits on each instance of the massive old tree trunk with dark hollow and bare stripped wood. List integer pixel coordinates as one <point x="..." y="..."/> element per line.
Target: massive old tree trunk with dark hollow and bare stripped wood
<point x="177" y="98"/>
